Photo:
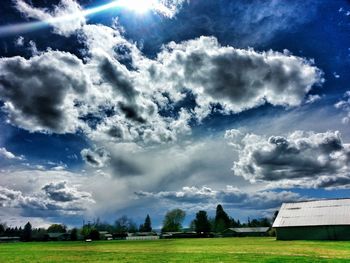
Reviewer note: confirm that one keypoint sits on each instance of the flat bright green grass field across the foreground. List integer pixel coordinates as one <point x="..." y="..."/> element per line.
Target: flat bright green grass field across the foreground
<point x="179" y="250"/>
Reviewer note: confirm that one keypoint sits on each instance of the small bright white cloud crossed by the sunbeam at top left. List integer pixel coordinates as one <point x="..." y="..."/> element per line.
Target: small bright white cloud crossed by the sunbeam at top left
<point x="65" y="8"/>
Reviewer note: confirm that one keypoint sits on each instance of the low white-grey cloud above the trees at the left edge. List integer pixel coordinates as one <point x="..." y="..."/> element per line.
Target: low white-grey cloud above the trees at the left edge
<point x="55" y="198"/>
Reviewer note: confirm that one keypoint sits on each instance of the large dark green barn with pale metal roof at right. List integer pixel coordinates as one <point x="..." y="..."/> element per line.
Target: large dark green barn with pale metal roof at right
<point x="314" y="220"/>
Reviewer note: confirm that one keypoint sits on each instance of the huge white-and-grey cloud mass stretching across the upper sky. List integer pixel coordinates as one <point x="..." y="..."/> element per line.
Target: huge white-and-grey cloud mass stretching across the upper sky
<point x="148" y="101"/>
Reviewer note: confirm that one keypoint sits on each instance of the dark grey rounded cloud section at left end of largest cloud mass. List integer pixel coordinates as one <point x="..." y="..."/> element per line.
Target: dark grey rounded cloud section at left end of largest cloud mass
<point x="39" y="93"/>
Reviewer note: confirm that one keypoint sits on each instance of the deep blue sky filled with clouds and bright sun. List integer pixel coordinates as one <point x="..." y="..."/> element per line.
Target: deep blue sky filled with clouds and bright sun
<point x="111" y="108"/>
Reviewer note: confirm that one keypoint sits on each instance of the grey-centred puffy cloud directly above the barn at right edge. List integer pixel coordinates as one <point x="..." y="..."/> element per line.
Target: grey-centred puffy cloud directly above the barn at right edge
<point x="302" y="158"/>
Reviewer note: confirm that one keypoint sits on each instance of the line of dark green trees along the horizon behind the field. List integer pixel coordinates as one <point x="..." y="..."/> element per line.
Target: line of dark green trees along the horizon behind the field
<point x="202" y="224"/>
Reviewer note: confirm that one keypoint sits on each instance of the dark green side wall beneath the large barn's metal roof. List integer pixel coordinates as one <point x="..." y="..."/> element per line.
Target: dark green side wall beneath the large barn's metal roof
<point x="313" y="233"/>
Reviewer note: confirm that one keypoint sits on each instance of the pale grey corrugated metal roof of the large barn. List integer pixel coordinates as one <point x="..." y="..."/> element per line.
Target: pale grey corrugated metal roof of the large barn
<point x="314" y="213"/>
